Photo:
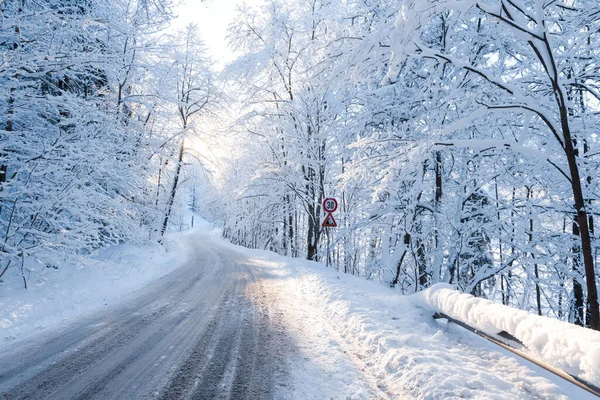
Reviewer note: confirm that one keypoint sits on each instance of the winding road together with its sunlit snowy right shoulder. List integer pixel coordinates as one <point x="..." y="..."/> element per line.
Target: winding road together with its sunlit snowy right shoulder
<point x="243" y="324"/>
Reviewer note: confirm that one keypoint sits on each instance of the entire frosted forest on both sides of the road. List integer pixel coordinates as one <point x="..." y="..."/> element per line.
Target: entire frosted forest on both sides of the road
<point x="459" y="136"/>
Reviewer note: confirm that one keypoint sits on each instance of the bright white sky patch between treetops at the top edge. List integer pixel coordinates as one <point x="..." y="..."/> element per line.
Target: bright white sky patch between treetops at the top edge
<point x="212" y="17"/>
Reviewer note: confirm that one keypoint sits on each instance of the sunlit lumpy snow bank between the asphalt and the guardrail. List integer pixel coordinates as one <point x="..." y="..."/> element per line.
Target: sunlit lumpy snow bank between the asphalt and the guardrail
<point x="400" y="348"/>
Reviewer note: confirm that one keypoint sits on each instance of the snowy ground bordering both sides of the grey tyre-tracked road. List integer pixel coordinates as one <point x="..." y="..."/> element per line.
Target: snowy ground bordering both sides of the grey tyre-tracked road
<point x="350" y="338"/>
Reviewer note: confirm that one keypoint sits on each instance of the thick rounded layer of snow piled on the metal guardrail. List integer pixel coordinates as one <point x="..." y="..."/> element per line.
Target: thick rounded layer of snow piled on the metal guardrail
<point x="571" y="348"/>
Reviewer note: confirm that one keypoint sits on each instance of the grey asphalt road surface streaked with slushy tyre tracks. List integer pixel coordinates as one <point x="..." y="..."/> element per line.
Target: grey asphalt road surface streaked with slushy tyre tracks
<point x="201" y="332"/>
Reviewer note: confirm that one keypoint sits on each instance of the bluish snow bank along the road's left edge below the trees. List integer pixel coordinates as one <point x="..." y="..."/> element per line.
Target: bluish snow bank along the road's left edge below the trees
<point x="55" y="295"/>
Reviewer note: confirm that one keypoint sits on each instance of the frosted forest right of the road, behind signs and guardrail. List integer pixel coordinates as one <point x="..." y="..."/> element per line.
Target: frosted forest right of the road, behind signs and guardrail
<point x="460" y="138"/>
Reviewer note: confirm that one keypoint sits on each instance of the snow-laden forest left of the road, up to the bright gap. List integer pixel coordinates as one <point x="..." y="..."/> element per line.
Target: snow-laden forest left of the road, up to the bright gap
<point x="95" y="107"/>
